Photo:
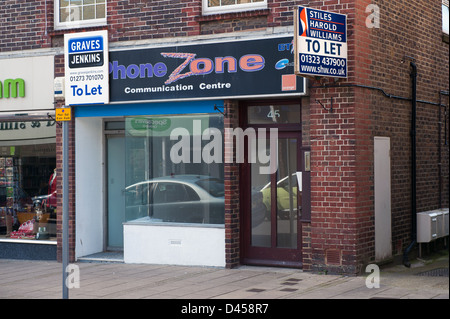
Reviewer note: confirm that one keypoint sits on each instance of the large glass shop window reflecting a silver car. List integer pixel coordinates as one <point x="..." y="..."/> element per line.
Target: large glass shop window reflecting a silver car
<point x="174" y="169"/>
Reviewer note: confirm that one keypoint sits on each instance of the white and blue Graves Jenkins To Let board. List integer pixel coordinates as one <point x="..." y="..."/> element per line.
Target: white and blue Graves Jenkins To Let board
<point x="86" y="68"/>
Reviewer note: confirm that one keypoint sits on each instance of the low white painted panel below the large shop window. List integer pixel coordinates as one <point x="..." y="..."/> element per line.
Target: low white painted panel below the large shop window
<point x="174" y="245"/>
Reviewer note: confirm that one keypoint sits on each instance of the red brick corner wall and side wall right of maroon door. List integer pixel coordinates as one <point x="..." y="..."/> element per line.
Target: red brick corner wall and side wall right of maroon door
<point x="342" y="142"/>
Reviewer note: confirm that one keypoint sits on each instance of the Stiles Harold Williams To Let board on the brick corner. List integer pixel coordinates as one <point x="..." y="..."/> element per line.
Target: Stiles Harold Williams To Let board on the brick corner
<point x="320" y="43"/>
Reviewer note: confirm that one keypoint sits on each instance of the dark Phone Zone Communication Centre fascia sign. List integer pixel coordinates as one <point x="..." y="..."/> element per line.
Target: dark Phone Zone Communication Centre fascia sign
<point x="259" y="67"/>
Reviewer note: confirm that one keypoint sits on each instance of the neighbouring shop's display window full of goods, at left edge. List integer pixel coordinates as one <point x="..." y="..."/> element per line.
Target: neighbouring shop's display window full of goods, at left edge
<point x="28" y="181"/>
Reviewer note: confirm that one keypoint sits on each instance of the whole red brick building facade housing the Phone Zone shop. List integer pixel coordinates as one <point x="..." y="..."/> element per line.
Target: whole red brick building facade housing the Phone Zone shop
<point x="153" y="172"/>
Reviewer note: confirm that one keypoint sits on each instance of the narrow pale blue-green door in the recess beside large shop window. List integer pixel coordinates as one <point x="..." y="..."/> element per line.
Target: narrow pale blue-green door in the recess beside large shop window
<point x="115" y="211"/>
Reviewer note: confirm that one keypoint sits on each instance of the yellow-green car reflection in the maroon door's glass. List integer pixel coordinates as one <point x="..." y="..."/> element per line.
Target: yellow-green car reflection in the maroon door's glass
<point x="283" y="196"/>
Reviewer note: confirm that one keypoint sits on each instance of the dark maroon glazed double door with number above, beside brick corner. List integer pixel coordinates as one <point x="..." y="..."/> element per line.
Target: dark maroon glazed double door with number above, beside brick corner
<point x="271" y="205"/>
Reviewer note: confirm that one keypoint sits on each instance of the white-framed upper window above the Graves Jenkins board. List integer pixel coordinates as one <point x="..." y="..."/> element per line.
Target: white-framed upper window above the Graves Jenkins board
<point x="79" y="13"/>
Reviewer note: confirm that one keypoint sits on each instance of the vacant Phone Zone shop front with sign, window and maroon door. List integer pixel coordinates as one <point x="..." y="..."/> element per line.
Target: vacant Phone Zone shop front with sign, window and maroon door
<point x="151" y="165"/>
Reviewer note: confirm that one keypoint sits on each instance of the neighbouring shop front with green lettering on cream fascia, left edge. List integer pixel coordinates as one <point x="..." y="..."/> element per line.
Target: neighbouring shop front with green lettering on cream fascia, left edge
<point x="27" y="159"/>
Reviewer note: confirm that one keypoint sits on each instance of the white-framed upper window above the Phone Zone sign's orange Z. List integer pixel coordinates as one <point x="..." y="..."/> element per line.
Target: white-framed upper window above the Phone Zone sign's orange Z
<point x="226" y="6"/>
